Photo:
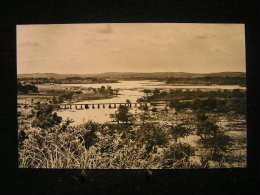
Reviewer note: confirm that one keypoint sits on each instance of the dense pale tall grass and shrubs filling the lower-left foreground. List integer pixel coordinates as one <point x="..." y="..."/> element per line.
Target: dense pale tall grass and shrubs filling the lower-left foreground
<point x="96" y="145"/>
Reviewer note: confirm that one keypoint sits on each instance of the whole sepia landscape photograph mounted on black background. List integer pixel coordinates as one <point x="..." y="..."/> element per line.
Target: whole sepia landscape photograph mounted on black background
<point x="131" y="96"/>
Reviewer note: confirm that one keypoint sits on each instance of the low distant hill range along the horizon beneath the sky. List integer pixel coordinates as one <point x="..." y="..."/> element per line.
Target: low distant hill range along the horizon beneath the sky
<point x="134" y="75"/>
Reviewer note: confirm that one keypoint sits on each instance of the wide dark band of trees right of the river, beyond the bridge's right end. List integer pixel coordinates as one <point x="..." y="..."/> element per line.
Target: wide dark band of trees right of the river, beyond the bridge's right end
<point x="208" y="101"/>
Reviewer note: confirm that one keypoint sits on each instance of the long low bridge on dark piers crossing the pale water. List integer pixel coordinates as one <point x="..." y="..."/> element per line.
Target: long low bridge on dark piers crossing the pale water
<point x="89" y="106"/>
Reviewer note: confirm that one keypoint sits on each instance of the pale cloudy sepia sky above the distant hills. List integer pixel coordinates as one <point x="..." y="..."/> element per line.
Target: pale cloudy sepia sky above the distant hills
<point x="130" y="47"/>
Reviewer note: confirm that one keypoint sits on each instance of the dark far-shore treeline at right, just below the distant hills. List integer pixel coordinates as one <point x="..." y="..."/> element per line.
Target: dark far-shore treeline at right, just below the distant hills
<point x="209" y="80"/>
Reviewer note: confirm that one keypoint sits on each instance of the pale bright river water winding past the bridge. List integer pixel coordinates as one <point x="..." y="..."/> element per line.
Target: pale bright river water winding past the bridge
<point x="131" y="90"/>
